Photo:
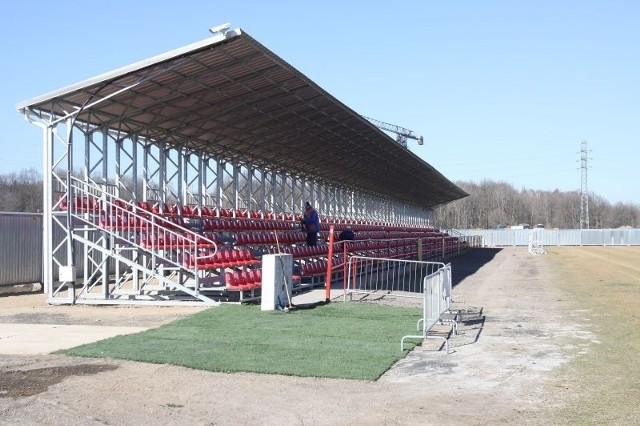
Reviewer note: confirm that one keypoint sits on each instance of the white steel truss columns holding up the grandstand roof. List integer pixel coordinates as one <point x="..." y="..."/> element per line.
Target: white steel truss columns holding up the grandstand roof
<point x="133" y="167"/>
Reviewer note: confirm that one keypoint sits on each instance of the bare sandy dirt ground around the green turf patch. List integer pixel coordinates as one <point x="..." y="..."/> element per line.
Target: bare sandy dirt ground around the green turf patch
<point x="502" y="366"/>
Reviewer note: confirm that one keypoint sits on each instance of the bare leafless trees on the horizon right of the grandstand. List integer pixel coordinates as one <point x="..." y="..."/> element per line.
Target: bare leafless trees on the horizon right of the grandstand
<point x="493" y="204"/>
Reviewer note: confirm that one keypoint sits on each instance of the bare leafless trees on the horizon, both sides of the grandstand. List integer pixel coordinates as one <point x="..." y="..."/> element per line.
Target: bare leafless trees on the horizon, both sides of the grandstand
<point x="490" y="205"/>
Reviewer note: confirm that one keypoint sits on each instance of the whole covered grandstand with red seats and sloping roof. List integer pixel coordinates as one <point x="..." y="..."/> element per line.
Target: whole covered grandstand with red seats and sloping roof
<point x="168" y="179"/>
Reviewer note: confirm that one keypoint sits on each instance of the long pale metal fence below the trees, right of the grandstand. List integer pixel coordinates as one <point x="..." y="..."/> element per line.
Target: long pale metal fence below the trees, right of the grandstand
<point x="556" y="237"/>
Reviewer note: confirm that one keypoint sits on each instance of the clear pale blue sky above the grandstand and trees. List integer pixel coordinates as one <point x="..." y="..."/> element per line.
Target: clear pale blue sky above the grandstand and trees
<point x="501" y="90"/>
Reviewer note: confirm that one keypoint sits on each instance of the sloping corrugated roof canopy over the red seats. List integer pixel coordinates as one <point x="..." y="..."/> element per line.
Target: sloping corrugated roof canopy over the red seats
<point x="230" y="97"/>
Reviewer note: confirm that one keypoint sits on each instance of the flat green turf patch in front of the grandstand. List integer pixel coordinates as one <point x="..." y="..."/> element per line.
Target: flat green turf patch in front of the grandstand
<point x="337" y="340"/>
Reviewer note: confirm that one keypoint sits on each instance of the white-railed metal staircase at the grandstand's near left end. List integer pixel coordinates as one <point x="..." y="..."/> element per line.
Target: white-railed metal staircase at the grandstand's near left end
<point x="133" y="254"/>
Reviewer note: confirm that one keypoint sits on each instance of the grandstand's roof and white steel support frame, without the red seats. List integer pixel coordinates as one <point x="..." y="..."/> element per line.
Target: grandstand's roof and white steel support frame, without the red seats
<point x="222" y="123"/>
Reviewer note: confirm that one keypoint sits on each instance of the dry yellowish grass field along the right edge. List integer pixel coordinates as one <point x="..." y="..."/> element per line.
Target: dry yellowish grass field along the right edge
<point x="602" y="385"/>
